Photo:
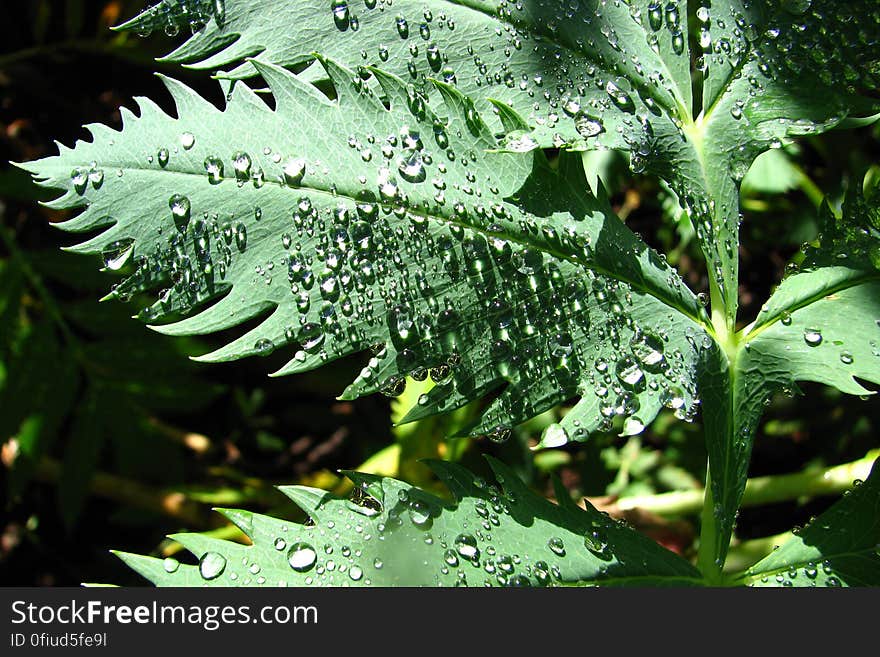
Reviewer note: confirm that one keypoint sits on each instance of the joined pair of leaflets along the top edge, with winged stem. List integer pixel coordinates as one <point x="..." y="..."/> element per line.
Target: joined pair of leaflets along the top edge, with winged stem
<point x="591" y="74"/>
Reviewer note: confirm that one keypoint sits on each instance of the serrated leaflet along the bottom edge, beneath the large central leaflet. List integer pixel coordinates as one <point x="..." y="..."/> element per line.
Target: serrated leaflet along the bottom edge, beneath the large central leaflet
<point x="397" y="535"/>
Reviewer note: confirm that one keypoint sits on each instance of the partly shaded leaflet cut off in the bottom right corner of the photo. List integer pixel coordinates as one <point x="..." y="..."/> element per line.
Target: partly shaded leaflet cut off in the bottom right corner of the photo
<point x="839" y="548"/>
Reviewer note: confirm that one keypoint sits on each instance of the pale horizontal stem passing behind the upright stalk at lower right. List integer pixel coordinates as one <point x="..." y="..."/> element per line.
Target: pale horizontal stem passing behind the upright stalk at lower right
<point x="811" y="482"/>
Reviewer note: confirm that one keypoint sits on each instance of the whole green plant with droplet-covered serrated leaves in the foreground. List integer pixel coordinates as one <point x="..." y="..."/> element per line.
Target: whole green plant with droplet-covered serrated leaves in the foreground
<point x="424" y="188"/>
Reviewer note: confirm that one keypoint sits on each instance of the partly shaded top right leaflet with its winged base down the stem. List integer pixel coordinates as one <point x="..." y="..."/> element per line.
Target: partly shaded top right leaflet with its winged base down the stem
<point x="772" y="70"/>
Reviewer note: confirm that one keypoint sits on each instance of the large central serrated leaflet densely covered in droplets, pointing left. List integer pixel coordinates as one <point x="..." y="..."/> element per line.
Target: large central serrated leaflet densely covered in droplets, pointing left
<point x="387" y="228"/>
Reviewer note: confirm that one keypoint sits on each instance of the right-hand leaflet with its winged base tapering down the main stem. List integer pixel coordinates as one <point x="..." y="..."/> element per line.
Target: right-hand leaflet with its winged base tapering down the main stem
<point x="821" y="324"/>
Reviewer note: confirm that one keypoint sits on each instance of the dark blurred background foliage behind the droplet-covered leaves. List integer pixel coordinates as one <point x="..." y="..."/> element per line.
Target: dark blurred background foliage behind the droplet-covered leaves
<point x="112" y="437"/>
